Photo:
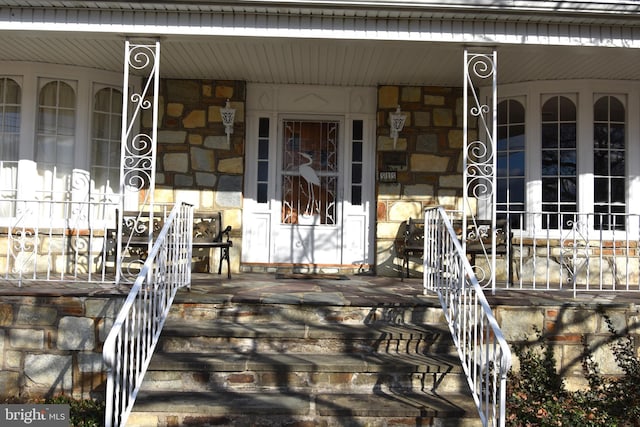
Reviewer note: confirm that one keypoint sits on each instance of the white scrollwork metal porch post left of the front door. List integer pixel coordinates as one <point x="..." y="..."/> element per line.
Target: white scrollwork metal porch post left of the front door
<point x="138" y="153"/>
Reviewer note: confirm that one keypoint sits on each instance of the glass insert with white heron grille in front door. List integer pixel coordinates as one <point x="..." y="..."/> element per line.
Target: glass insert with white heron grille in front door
<point x="309" y="172"/>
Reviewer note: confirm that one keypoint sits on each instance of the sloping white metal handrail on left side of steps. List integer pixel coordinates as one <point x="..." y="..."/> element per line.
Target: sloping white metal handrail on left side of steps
<point x="130" y="344"/>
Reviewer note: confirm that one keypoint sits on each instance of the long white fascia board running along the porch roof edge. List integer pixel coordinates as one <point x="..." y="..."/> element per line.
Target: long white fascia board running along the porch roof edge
<point x="159" y="24"/>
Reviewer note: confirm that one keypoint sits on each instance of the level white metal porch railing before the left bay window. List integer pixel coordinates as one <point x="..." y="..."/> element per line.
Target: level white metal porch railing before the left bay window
<point x="57" y="240"/>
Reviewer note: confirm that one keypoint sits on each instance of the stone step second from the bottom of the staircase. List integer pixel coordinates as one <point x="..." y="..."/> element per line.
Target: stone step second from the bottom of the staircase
<point x="358" y="373"/>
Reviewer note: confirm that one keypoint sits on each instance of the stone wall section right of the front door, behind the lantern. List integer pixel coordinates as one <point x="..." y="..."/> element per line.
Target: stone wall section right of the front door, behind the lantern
<point x="427" y="159"/>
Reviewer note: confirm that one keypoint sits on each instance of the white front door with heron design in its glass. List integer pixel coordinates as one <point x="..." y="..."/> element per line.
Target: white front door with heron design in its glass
<point x="308" y="189"/>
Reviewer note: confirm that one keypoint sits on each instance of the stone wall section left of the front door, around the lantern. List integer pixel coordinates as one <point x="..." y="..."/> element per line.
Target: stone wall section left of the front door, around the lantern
<point x="195" y="161"/>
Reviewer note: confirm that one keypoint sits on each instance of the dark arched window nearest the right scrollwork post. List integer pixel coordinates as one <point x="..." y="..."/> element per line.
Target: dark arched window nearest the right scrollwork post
<point x="511" y="160"/>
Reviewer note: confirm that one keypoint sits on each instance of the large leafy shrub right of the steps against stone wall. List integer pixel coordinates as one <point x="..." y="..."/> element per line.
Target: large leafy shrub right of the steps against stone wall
<point x="537" y="396"/>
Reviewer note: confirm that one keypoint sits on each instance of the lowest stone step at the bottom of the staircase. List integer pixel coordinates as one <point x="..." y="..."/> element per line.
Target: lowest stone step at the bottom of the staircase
<point x="220" y="408"/>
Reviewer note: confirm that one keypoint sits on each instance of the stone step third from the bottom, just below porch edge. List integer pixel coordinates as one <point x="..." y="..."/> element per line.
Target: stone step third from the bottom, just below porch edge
<point x="223" y="335"/>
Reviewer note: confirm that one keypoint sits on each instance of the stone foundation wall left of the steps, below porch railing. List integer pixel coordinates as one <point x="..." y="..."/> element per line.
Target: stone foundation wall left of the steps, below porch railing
<point x="52" y="345"/>
